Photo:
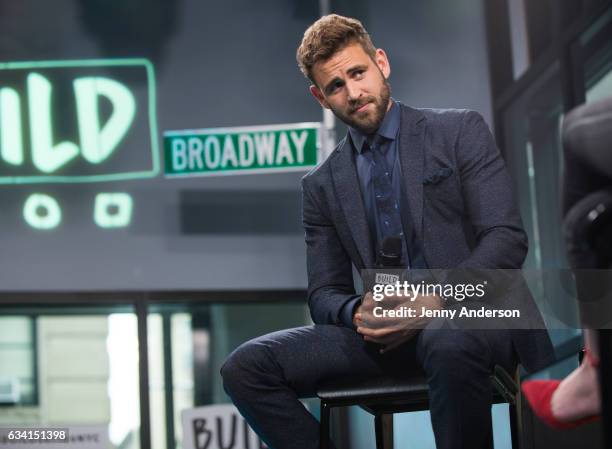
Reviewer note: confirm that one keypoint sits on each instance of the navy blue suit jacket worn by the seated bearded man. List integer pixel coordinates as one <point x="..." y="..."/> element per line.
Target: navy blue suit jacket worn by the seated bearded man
<point x="461" y="203"/>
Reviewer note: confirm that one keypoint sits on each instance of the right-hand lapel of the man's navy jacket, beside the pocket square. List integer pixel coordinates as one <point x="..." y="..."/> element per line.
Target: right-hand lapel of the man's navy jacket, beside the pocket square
<point x="412" y="135"/>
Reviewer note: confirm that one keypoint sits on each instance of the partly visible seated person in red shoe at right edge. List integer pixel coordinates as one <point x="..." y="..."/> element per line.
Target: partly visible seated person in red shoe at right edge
<point x="587" y="180"/>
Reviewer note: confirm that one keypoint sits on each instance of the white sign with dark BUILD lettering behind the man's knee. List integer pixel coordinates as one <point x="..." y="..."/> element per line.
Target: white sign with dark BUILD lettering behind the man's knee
<point x="218" y="427"/>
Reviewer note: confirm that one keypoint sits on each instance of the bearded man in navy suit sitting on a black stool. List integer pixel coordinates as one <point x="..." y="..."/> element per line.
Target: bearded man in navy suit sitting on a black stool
<point x="435" y="179"/>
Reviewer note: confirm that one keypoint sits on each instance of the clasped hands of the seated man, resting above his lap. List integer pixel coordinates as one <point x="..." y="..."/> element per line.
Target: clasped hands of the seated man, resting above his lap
<point x="390" y="331"/>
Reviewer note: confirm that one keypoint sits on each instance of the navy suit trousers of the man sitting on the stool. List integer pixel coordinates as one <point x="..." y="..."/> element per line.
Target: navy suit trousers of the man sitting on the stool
<point x="267" y="376"/>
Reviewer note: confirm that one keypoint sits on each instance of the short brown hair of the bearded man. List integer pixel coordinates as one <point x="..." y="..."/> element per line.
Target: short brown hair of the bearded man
<point x="327" y="36"/>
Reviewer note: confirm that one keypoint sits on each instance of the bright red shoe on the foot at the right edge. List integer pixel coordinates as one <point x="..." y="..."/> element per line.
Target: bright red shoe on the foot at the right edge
<point x="539" y="395"/>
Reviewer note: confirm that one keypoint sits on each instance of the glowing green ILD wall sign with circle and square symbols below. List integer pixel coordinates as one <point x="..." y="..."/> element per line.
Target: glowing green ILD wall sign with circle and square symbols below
<point x="77" y="122"/>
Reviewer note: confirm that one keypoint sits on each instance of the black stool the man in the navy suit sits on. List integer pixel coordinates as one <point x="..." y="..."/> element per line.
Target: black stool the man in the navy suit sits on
<point x="386" y="396"/>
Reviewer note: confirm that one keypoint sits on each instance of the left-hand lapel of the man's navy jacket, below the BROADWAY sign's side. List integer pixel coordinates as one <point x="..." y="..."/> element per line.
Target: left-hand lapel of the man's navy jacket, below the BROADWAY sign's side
<point x="346" y="184"/>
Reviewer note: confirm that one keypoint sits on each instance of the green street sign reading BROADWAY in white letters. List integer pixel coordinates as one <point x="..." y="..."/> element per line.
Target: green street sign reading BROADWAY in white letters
<point x="253" y="149"/>
